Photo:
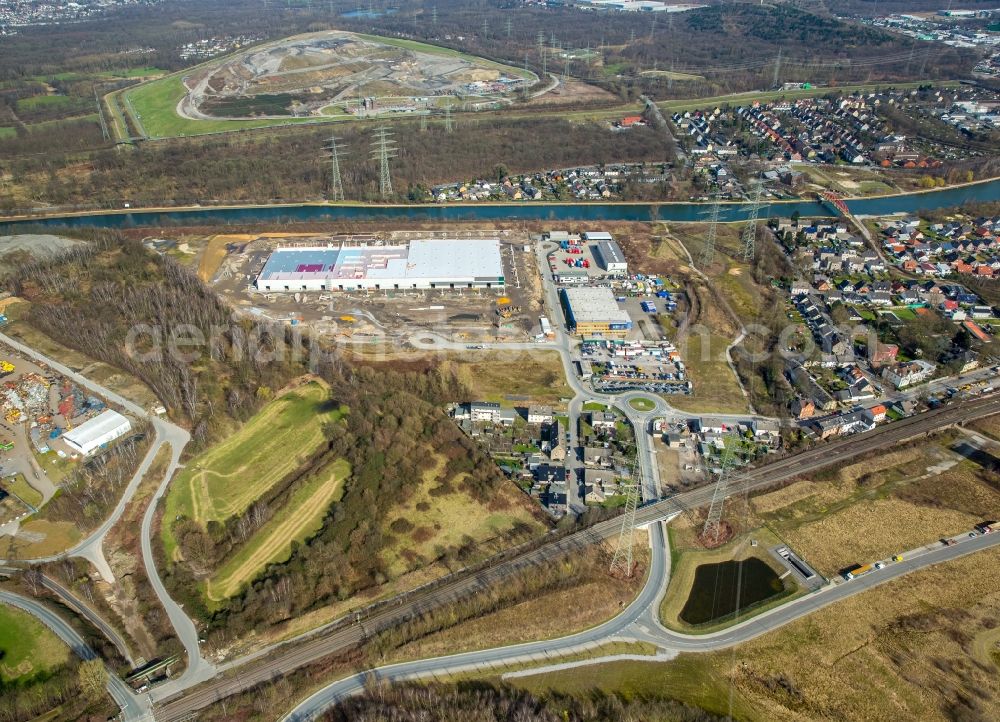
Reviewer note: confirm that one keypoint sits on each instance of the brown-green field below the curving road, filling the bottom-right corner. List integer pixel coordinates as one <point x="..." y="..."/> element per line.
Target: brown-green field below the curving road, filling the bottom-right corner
<point x="915" y="648"/>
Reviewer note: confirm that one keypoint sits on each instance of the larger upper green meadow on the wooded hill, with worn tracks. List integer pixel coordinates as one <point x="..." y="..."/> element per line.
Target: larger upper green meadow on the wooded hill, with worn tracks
<point x="229" y="477"/>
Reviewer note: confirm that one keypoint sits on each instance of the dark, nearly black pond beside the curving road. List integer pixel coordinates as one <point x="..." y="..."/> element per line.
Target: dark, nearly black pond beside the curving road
<point x="713" y="594"/>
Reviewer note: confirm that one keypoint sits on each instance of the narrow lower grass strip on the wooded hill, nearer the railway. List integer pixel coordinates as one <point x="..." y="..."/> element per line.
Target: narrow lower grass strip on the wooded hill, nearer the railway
<point x="299" y="519"/>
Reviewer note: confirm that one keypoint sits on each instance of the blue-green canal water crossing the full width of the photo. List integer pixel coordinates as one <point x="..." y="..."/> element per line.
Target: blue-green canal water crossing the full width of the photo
<point x="555" y="212"/>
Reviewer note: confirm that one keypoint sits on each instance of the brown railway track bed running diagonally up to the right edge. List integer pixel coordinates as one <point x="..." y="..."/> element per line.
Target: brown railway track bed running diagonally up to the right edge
<point x="298" y="653"/>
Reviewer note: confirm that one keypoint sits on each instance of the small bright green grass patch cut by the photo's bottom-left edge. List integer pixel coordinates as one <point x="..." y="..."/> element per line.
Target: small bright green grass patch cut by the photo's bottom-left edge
<point x="27" y="648"/>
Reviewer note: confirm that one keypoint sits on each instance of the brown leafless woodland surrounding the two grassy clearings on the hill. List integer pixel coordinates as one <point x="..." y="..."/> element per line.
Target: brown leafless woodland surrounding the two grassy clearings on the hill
<point x="90" y="299"/>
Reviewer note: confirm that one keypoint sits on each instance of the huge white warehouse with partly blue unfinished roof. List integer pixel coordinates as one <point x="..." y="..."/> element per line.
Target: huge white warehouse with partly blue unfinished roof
<point x="420" y="264"/>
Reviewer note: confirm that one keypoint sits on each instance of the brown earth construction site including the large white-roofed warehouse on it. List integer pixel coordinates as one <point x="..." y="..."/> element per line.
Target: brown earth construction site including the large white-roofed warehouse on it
<point x="462" y="286"/>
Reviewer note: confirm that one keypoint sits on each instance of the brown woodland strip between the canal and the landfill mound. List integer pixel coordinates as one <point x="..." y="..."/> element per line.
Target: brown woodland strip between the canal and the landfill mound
<point x="261" y="167"/>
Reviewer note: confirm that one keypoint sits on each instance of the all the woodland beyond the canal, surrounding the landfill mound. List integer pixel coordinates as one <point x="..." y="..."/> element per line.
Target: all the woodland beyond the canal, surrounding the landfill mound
<point x="56" y="139"/>
